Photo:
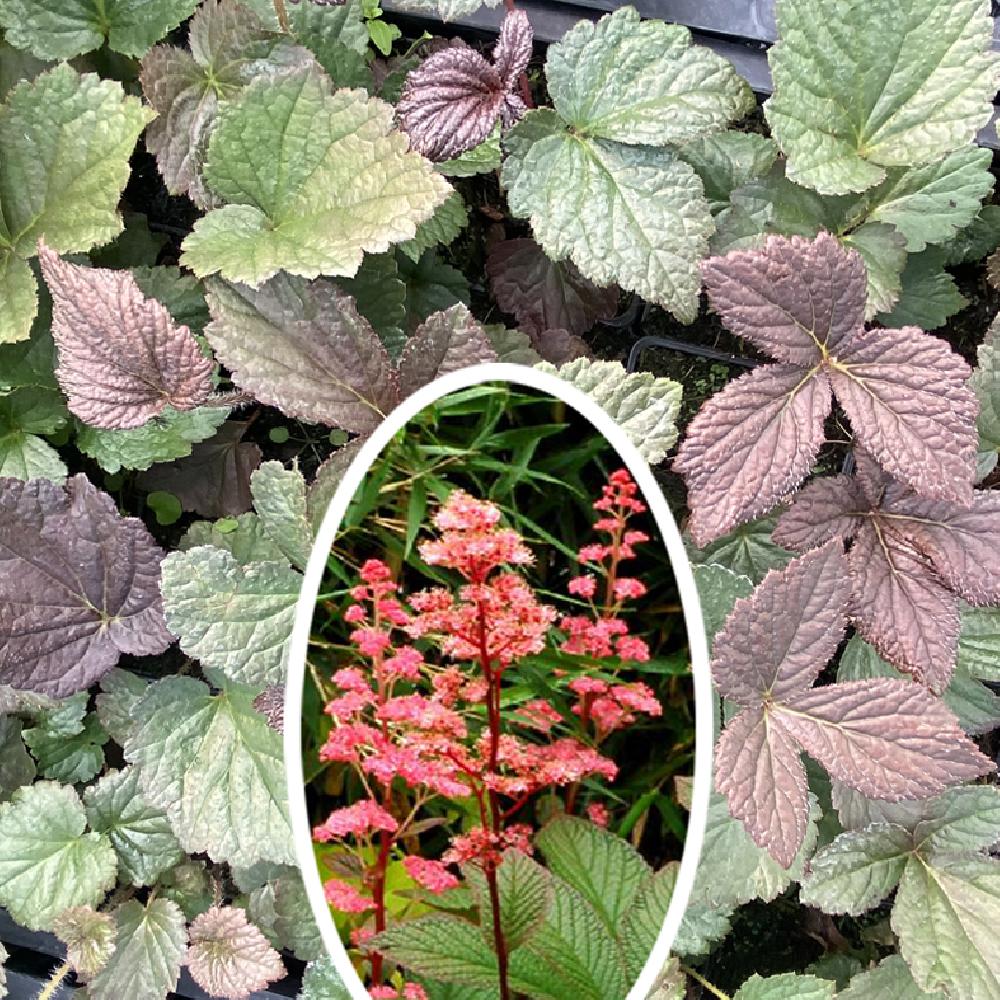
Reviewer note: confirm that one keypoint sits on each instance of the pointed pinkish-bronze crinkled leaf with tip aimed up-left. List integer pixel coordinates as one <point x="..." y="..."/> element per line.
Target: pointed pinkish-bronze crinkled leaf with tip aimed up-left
<point x="122" y="359"/>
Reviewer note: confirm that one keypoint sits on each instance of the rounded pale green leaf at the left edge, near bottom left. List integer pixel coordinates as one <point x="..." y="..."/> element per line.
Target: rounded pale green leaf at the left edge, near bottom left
<point x="47" y="862"/>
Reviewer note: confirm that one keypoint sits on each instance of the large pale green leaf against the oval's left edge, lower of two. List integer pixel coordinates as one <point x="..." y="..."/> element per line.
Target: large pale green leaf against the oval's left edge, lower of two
<point x="215" y="767"/>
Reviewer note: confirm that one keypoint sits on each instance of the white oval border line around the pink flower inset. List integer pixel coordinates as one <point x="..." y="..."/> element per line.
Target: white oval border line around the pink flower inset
<point x="554" y="386"/>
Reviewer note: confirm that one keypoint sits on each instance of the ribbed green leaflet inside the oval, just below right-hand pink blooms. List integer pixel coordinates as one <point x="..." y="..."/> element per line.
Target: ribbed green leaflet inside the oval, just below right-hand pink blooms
<point x="605" y="869"/>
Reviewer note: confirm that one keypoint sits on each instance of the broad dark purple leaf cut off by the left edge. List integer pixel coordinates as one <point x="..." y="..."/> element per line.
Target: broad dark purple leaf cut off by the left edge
<point x="78" y="587"/>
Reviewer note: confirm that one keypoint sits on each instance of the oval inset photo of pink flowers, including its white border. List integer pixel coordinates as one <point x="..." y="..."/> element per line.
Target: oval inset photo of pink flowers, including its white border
<point x="498" y="712"/>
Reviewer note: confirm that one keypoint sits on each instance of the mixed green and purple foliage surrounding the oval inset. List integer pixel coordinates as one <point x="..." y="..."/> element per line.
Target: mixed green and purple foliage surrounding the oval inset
<point x="223" y="260"/>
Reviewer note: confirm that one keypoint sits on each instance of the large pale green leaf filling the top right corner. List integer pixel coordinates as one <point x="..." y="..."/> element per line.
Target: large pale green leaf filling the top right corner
<point x="932" y="93"/>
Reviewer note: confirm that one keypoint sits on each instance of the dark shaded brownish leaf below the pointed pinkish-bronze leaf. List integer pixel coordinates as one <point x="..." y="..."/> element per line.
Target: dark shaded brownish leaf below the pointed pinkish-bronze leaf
<point x="214" y="479"/>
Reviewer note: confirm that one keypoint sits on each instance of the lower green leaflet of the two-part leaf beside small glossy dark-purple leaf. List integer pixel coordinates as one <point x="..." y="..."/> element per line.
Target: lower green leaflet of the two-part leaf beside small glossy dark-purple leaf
<point x="635" y="215"/>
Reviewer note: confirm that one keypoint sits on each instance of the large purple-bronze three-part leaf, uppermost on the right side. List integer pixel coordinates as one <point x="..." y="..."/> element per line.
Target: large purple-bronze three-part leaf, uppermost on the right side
<point x="905" y="393"/>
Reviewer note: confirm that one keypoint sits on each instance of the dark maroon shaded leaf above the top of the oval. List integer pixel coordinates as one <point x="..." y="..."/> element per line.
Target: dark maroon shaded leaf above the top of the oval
<point x="543" y="294"/>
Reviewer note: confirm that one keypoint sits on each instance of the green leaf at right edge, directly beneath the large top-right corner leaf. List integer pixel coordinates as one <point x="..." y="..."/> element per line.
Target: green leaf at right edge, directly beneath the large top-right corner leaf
<point x="930" y="203"/>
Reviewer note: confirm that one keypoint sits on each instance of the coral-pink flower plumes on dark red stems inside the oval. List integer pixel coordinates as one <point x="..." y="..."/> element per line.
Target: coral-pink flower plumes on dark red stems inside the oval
<point x="418" y="722"/>
